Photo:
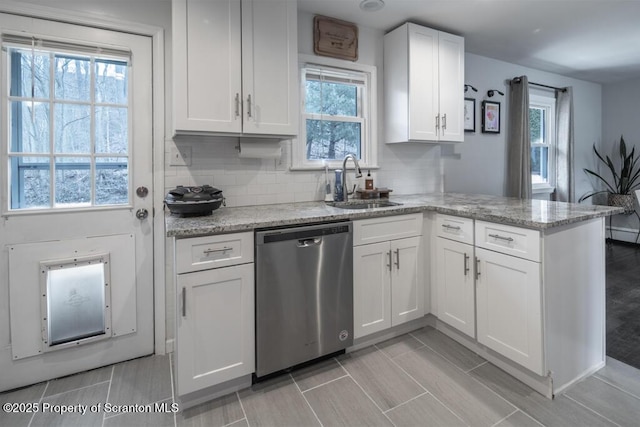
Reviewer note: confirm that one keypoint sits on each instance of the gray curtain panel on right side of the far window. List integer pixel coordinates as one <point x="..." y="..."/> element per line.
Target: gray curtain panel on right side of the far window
<point x="565" y="186"/>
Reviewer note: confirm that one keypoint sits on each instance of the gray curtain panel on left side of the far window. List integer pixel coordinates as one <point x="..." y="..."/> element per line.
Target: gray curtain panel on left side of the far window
<point x="518" y="142"/>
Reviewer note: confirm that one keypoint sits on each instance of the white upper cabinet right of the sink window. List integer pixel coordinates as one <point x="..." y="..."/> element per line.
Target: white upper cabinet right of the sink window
<point x="424" y="85"/>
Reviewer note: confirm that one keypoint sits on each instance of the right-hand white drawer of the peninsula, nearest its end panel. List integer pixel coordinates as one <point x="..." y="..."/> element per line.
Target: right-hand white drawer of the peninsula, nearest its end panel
<point x="516" y="241"/>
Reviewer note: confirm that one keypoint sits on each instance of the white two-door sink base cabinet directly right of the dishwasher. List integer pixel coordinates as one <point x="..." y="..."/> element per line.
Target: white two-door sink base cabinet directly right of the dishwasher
<point x="388" y="285"/>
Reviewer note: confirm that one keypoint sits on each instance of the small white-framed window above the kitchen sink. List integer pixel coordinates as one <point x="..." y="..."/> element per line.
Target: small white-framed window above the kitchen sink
<point x="337" y="114"/>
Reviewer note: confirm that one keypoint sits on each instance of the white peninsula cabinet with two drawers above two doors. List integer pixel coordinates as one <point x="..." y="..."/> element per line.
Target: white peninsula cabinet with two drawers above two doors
<point x="486" y="292"/>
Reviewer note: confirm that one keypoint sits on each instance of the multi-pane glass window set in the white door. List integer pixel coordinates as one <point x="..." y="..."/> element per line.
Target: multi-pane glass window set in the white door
<point x="68" y="144"/>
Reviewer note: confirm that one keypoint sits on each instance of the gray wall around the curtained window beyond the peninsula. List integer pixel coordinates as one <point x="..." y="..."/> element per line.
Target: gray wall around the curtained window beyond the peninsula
<point x="478" y="165"/>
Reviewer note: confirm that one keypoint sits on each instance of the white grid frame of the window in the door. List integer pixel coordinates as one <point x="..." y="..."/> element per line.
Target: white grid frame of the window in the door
<point x="12" y="176"/>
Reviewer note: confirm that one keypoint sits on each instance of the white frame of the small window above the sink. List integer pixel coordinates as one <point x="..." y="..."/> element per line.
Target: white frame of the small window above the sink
<point x="369" y="139"/>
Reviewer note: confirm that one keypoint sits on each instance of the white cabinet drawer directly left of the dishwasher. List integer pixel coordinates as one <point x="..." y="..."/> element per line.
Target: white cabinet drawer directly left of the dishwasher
<point x="203" y="253"/>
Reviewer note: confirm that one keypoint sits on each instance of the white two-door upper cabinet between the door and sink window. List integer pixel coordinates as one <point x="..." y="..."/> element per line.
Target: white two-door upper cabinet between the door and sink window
<point x="235" y="67"/>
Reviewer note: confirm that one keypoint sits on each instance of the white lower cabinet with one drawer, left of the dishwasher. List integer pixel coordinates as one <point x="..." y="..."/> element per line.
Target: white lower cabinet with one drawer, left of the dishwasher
<point x="215" y="312"/>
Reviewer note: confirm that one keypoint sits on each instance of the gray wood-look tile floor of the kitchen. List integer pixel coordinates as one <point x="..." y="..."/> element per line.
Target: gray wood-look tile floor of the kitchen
<point x="419" y="379"/>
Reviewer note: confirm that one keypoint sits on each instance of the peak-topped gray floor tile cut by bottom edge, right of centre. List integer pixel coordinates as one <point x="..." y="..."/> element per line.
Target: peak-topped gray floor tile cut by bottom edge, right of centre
<point x="418" y="410"/>
